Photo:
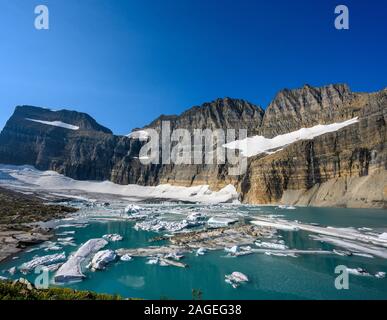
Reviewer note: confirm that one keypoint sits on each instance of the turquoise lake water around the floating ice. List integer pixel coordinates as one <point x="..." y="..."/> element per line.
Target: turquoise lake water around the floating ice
<point x="271" y="277"/>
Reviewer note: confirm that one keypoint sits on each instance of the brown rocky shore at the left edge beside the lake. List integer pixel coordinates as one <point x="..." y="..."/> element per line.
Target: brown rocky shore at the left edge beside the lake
<point x="21" y="216"/>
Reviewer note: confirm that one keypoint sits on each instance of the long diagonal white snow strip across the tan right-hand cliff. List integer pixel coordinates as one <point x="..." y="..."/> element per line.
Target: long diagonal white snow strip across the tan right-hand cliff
<point x="259" y="144"/>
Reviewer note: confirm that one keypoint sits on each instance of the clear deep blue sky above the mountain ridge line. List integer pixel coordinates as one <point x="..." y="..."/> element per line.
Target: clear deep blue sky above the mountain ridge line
<point x="125" y="62"/>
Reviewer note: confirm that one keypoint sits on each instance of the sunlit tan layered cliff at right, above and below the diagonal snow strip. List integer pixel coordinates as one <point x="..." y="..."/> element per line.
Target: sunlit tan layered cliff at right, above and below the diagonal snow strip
<point x="343" y="168"/>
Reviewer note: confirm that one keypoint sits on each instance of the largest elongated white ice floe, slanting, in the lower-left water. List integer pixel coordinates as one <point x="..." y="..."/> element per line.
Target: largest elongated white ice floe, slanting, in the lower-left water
<point x="71" y="270"/>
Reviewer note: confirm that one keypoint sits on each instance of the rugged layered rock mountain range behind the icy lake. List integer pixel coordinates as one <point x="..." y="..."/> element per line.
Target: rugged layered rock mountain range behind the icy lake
<point x="346" y="167"/>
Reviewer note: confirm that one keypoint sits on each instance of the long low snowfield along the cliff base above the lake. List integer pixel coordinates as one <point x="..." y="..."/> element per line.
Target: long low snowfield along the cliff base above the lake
<point x="54" y="182"/>
